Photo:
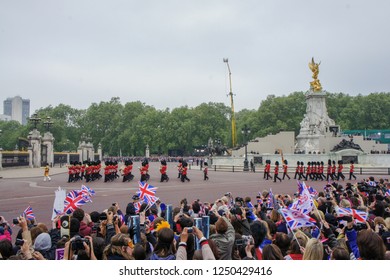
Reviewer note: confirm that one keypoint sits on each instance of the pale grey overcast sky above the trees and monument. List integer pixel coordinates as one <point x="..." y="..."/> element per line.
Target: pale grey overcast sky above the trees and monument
<point x="170" y="53"/>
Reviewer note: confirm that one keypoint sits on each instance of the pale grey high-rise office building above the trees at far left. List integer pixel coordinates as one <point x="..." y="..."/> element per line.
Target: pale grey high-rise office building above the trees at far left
<point x="17" y="108"/>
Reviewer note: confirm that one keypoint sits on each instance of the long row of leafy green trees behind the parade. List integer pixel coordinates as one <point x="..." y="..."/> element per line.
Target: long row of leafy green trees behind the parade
<point x="127" y="129"/>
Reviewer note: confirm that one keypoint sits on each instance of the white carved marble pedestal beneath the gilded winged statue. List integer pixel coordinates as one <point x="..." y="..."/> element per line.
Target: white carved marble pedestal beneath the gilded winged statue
<point x="315" y="124"/>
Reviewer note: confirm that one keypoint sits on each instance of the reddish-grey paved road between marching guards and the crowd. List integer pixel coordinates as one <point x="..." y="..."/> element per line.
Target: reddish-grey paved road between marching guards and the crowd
<point x="22" y="187"/>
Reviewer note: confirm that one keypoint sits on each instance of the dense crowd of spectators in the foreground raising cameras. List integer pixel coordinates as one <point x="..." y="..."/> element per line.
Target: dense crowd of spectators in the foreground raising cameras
<point x="240" y="229"/>
